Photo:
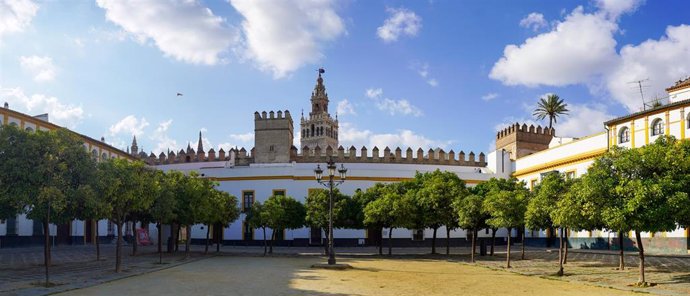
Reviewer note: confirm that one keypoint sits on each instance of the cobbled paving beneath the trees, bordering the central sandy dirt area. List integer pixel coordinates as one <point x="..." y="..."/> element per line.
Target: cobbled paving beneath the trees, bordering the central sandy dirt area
<point x="22" y="271"/>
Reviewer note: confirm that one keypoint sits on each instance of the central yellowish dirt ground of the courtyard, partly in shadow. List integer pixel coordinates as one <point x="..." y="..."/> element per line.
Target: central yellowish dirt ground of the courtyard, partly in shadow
<point x="293" y="276"/>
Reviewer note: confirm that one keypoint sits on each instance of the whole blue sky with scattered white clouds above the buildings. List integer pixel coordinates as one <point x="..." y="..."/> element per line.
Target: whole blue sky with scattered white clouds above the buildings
<point x="427" y="74"/>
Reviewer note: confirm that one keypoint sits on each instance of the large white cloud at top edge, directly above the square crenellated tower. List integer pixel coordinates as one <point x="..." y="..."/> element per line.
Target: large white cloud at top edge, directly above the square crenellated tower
<point x="282" y="36"/>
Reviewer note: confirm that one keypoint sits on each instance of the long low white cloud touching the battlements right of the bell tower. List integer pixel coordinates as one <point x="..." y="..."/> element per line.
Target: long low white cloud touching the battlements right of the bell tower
<point x="350" y="135"/>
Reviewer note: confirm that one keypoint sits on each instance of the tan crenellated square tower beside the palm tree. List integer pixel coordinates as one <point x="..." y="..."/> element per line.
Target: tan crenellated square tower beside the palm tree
<point x="522" y="140"/>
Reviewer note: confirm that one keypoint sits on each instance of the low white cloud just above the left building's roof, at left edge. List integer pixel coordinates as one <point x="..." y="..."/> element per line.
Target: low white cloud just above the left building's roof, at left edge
<point x="60" y="113"/>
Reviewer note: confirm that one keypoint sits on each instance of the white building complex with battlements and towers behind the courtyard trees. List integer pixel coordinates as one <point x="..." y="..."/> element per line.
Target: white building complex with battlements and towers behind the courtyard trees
<point x="275" y="166"/>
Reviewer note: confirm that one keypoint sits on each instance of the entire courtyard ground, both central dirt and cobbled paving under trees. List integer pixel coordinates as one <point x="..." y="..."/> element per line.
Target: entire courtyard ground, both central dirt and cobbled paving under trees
<point x="411" y="271"/>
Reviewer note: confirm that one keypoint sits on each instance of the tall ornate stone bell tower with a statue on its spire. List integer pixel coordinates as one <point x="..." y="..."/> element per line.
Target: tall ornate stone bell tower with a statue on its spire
<point x="319" y="129"/>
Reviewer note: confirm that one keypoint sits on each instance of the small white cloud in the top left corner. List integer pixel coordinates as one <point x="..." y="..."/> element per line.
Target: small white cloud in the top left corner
<point x="16" y="15"/>
